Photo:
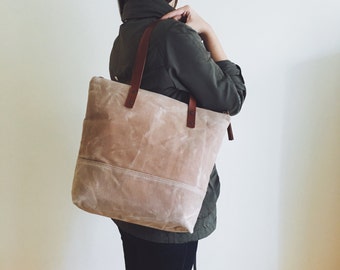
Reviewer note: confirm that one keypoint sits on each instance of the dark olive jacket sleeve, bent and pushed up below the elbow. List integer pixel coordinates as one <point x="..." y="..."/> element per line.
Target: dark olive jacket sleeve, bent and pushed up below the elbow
<point x="217" y="86"/>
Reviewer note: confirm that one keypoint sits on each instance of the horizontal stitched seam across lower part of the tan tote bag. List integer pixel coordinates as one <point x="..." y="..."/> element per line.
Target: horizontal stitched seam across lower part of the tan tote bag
<point x="144" y="175"/>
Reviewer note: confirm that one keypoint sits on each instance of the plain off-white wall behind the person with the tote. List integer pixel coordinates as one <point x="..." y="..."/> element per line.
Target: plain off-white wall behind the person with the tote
<point x="280" y="199"/>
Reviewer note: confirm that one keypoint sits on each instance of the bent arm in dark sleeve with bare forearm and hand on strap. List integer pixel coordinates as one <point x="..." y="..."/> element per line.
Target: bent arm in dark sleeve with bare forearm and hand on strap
<point x="215" y="82"/>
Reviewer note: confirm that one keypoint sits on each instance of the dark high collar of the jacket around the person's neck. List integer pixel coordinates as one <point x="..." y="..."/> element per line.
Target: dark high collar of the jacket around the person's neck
<point x="137" y="9"/>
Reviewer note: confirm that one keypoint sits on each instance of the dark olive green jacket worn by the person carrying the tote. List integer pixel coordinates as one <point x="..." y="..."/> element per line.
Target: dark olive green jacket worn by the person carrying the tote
<point x="178" y="65"/>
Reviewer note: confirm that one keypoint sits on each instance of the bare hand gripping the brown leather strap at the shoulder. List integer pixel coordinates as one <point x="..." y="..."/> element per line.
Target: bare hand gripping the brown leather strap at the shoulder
<point x="190" y="17"/>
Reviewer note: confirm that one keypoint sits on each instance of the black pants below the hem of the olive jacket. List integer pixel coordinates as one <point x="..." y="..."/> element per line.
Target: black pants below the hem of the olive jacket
<point x="144" y="255"/>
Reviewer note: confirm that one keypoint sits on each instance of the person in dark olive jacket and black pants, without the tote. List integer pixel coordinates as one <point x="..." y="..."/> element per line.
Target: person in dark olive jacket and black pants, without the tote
<point x="178" y="64"/>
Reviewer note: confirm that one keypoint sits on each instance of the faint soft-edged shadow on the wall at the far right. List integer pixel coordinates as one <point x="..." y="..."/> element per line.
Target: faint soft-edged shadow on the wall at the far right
<point x="310" y="184"/>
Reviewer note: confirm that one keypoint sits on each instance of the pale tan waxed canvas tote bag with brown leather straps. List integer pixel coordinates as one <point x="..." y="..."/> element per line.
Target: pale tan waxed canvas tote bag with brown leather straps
<point x="146" y="158"/>
